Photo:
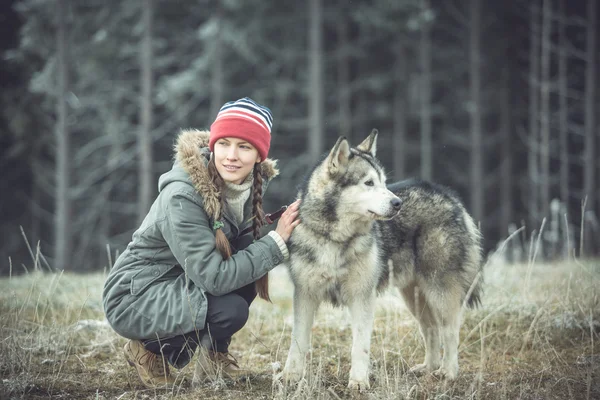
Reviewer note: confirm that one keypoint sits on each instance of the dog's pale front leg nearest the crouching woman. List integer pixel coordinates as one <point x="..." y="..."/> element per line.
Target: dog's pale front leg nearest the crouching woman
<point x="305" y="308"/>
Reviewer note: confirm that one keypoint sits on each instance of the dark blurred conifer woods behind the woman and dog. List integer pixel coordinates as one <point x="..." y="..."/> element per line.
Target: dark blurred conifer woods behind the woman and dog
<point x="497" y="100"/>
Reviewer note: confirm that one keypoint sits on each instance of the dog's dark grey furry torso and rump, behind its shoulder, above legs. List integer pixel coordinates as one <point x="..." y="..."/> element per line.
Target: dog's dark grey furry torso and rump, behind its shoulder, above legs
<point x="433" y="240"/>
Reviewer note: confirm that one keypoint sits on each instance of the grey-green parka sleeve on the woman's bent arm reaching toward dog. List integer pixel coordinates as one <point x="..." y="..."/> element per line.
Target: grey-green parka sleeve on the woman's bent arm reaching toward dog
<point x="187" y="232"/>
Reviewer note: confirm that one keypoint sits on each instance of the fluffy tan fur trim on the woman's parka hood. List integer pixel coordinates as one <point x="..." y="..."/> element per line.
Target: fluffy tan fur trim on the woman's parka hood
<point x="191" y="160"/>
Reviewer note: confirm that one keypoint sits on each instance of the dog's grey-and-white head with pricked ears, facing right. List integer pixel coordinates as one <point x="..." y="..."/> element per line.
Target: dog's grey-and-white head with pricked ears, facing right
<point x="351" y="181"/>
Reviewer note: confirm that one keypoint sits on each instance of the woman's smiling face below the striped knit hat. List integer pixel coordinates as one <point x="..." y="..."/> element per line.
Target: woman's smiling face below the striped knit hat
<point x="234" y="159"/>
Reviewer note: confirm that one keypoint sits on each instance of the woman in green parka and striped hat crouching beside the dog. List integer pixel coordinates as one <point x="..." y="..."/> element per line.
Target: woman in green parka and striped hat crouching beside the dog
<point x="188" y="276"/>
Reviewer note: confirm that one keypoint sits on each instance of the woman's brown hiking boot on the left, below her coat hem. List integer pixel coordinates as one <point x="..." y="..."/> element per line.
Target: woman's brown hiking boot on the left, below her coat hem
<point x="152" y="369"/>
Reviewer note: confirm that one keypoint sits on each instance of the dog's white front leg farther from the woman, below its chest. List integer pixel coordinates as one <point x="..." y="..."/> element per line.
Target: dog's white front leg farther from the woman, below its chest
<point x="361" y="311"/>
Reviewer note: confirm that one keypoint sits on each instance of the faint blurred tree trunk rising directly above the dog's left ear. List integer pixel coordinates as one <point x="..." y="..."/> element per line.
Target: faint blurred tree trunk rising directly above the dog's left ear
<point x="345" y="107"/>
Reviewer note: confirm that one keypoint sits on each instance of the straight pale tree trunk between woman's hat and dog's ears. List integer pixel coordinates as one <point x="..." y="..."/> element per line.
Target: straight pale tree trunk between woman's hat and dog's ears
<point x="315" y="98"/>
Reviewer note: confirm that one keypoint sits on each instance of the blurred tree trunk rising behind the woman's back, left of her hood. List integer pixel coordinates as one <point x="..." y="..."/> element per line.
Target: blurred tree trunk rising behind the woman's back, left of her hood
<point x="145" y="172"/>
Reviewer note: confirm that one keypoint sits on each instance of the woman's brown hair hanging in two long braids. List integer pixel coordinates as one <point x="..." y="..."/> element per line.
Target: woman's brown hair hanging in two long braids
<point x="223" y="245"/>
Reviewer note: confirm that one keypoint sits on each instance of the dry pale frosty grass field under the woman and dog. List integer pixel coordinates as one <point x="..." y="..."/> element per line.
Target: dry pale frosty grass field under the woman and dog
<point x="536" y="336"/>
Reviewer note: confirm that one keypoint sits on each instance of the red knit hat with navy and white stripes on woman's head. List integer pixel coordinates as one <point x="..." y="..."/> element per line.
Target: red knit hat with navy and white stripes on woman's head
<point x="244" y="119"/>
